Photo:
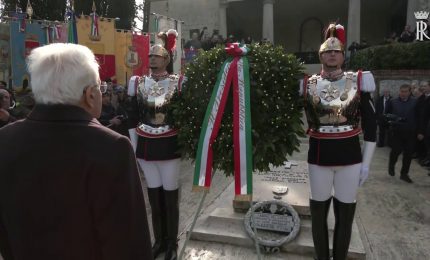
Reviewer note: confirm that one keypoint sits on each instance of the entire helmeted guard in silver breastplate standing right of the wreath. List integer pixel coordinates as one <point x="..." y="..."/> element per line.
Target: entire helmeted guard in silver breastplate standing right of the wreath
<point x="336" y="102"/>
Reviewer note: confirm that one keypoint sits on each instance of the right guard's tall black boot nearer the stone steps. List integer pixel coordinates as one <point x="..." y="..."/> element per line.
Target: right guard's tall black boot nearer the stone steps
<point x="319" y="212"/>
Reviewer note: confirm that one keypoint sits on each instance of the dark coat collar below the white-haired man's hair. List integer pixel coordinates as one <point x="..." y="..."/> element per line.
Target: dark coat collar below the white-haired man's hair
<point x="59" y="112"/>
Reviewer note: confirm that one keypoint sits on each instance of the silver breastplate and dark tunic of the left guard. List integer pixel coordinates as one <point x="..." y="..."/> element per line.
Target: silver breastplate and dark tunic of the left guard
<point x="157" y="140"/>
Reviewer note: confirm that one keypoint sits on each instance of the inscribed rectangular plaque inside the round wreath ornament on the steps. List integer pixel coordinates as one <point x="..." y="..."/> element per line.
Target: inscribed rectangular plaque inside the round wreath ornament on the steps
<point x="273" y="222"/>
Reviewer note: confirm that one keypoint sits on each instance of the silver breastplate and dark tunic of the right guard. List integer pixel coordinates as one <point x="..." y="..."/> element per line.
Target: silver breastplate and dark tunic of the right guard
<point x="334" y="110"/>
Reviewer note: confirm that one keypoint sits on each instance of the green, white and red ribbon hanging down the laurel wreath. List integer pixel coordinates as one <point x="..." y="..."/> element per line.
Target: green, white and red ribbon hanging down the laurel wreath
<point x="234" y="71"/>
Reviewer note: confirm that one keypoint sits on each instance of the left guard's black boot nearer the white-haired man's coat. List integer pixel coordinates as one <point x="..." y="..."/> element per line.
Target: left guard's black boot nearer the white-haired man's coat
<point x="156" y="199"/>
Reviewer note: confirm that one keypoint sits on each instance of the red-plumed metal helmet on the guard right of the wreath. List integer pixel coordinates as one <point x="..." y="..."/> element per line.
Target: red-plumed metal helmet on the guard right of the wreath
<point x="334" y="39"/>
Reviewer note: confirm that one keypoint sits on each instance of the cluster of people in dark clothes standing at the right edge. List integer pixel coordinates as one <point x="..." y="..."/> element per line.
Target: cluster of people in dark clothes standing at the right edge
<point x="404" y="125"/>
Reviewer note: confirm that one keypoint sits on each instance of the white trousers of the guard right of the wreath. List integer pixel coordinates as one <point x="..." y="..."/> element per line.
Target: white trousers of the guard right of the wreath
<point x="343" y="179"/>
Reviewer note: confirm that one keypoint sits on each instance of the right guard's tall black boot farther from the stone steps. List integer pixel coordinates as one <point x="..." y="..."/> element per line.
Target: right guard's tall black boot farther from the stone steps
<point x="344" y="216"/>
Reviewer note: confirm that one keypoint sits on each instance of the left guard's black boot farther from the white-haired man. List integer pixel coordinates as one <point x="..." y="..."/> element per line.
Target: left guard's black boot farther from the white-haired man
<point x="172" y="220"/>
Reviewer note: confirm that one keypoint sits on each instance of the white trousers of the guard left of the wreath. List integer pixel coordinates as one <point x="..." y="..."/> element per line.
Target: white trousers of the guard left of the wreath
<point x="161" y="173"/>
